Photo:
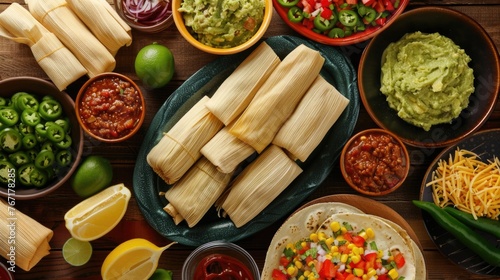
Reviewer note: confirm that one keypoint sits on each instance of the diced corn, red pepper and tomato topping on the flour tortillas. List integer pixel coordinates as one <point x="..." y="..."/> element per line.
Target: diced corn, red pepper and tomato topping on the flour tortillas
<point x="346" y="255"/>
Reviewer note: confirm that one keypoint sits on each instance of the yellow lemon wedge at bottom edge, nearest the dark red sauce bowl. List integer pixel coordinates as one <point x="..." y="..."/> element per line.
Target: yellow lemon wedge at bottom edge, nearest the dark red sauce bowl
<point x="133" y="259"/>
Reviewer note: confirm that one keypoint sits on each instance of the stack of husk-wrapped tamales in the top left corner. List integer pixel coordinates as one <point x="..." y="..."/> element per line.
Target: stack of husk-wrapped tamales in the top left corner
<point x="68" y="39"/>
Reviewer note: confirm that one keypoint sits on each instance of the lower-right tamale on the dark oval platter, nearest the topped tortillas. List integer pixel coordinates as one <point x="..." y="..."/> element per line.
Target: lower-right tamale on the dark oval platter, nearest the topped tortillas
<point x="258" y="185"/>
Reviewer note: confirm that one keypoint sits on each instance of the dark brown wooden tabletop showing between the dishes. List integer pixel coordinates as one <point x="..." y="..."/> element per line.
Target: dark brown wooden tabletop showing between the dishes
<point x="17" y="60"/>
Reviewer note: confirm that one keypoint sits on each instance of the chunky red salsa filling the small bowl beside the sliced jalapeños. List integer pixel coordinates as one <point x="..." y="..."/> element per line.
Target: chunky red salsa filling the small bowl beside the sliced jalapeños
<point x="110" y="108"/>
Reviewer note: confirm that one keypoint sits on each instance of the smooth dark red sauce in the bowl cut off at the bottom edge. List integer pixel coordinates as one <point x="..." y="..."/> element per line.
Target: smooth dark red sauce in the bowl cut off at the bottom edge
<point x="221" y="267"/>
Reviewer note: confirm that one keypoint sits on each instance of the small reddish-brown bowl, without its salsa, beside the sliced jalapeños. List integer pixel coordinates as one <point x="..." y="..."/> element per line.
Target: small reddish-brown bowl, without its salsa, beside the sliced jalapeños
<point x="138" y="122"/>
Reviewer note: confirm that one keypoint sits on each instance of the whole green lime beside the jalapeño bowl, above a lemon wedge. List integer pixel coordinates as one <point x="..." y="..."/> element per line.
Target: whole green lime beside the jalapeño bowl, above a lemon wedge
<point x="92" y="175"/>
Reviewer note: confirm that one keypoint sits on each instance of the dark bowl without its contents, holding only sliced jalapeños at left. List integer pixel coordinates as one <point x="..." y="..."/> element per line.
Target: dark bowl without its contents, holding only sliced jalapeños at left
<point x="42" y="88"/>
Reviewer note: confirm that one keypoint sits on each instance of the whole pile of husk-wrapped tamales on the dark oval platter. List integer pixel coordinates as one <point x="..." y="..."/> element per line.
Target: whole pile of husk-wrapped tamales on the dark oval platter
<point x="279" y="113"/>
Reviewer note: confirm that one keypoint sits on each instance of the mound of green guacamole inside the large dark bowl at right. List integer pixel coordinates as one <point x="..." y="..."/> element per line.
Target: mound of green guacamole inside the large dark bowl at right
<point x="426" y="79"/>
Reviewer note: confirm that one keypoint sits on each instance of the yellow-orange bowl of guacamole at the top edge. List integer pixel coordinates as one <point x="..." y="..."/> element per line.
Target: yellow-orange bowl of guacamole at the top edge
<point x="222" y="27"/>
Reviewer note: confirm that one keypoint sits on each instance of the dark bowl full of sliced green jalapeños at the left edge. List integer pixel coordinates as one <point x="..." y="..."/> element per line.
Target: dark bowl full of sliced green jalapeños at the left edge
<point x="41" y="141"/>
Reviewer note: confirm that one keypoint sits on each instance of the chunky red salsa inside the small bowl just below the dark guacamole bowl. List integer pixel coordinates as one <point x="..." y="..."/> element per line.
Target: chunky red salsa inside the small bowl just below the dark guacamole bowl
<point x="375" y="162"/>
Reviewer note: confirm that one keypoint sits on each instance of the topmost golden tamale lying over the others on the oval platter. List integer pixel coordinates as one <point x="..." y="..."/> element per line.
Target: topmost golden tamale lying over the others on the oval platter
<point x="277" y="98"/>
